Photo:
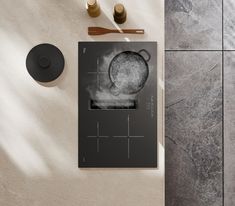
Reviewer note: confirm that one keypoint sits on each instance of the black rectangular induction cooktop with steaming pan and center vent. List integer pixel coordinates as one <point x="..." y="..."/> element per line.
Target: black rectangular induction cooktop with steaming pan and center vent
<point x="117" y="104"/>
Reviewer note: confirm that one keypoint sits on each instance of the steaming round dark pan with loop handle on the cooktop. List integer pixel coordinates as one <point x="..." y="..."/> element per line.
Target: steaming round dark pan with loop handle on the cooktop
<point x="128" y="72"/>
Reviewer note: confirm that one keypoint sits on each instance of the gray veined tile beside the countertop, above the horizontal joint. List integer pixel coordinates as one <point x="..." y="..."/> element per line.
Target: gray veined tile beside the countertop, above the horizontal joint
<point x="193" y="25"/>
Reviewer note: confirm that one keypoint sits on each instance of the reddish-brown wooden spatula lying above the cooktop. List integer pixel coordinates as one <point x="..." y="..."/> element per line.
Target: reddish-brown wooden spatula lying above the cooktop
<point x="101" y="31"/>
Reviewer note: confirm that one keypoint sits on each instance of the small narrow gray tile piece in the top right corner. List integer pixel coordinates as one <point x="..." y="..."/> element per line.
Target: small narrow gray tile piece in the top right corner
<point x="229" y="24"/>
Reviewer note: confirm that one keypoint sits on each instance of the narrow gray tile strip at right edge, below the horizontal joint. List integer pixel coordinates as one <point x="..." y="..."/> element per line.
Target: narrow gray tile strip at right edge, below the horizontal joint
<point x="229" y="128"/>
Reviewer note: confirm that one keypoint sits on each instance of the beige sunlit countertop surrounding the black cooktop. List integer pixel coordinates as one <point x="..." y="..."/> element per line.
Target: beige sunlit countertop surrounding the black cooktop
<point x="39" y="123"/>
